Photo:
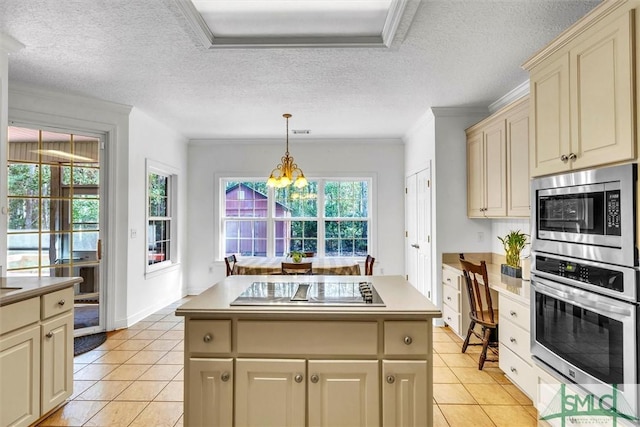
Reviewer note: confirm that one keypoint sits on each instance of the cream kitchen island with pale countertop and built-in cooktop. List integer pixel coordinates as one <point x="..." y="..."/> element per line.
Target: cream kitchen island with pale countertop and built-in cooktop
<point x="309" y="364"/>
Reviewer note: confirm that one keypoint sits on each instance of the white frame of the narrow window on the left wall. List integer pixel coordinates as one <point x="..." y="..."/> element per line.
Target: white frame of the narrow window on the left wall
<point x="161" y="169"/>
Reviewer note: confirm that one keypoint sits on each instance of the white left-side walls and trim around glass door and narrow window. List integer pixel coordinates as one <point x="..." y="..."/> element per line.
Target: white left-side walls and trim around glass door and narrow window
<point x="131" y="136"/>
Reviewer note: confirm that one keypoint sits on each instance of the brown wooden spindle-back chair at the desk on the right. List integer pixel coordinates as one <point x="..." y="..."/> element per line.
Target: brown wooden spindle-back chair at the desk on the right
<point x="482" y="312"/>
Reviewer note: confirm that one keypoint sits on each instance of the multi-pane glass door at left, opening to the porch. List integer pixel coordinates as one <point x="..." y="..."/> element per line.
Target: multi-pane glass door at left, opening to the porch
<point x="54" y="228"/>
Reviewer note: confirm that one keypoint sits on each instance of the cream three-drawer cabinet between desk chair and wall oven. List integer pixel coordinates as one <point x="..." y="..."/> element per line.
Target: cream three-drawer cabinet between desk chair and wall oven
<point x="514" y="337"/>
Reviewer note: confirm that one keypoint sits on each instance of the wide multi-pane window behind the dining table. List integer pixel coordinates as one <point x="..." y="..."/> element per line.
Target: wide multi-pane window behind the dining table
<point x="329" y="217"/>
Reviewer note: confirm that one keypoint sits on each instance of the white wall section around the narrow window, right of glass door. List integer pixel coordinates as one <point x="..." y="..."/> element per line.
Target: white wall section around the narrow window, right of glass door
<point x="151" y="139"/>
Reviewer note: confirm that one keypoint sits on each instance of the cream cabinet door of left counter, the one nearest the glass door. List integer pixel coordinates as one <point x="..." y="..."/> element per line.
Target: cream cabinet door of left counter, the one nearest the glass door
<point x="57" y="360"/>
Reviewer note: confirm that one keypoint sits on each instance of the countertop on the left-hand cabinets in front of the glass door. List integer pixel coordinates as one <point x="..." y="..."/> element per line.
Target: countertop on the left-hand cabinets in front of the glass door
<point x="31" y="287"/>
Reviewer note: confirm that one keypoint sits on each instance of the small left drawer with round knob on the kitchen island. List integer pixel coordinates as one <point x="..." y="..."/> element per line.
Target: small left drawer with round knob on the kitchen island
<point x="209" y="336"/>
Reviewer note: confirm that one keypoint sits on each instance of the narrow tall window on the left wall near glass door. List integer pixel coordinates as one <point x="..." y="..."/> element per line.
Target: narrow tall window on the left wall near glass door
<point x="161" y="184"/>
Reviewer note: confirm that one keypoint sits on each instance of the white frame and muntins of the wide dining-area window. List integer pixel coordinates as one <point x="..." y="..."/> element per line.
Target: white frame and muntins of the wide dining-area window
<point x="320" y="219"/>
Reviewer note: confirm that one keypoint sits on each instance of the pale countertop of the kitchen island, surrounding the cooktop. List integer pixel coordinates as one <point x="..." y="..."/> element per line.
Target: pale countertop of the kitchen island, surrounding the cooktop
<point x="400" y="298"/>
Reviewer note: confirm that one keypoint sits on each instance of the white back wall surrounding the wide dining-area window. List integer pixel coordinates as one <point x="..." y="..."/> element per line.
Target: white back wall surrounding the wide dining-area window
<point x="211" y="159"/>
